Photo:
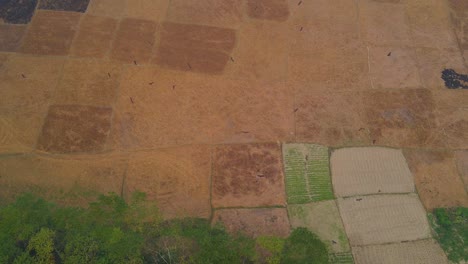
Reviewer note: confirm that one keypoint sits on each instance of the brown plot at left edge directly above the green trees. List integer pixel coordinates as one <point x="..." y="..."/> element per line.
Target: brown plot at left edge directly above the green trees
<point x="68" y="181"/>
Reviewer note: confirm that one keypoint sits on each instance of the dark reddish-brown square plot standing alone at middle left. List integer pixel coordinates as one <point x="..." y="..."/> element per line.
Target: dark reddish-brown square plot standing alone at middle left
<point x="75" y="128"/>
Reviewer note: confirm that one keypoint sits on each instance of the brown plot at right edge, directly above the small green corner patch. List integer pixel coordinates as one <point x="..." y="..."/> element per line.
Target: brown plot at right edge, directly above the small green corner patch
<point x="436" y="177"/>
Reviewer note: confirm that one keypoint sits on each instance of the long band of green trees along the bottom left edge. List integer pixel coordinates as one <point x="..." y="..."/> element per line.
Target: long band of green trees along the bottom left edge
<point x="110" y="230"/>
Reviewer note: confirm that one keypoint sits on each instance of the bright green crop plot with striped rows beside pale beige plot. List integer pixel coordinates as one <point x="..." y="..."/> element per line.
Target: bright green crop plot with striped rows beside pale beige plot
<point x="307" y="173"/>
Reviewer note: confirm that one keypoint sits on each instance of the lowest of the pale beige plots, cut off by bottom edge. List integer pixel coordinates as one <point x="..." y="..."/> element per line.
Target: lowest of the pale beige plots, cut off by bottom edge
<point x="421" y="251"/>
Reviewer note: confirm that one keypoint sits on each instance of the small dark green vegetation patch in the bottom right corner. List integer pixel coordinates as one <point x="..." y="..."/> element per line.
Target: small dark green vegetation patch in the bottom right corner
<point x="451" y="228"/>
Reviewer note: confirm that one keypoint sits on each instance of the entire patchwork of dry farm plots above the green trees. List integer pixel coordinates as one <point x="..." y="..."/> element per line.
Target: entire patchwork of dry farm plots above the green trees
<point x="265" y="115"/>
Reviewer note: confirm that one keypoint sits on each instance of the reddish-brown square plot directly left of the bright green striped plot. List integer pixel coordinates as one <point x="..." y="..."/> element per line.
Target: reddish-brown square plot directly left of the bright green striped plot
<point x="248" y="175"/>
